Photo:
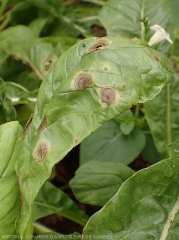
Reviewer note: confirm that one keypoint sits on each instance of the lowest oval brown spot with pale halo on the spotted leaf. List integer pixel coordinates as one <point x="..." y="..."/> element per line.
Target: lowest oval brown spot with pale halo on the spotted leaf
<point x="41" y="151"/>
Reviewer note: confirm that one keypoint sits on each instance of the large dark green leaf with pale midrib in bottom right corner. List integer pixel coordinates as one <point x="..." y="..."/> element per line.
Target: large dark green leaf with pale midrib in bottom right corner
<point x="145" y="207"/>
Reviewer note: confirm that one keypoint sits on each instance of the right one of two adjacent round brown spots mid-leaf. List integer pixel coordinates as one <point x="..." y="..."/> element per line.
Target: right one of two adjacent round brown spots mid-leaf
<point x="108" y="95"/>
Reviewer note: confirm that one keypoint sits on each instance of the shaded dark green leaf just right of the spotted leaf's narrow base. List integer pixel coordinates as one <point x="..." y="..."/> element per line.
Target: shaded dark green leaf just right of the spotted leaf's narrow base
<point x="57" y="202"/>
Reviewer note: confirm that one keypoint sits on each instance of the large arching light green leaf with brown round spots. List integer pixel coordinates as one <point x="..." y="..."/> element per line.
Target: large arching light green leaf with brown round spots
<point x="92" y="82"/>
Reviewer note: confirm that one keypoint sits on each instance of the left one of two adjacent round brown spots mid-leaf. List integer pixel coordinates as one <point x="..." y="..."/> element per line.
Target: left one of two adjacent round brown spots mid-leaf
<point x="83" y="80"/>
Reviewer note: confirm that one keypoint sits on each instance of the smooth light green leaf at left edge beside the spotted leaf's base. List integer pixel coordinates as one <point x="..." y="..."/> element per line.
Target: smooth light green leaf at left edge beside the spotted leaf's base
<point x="9" y="189"/>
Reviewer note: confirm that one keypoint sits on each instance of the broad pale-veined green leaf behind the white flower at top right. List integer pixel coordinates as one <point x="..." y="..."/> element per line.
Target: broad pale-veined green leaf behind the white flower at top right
<point x="126" y="17"/>
